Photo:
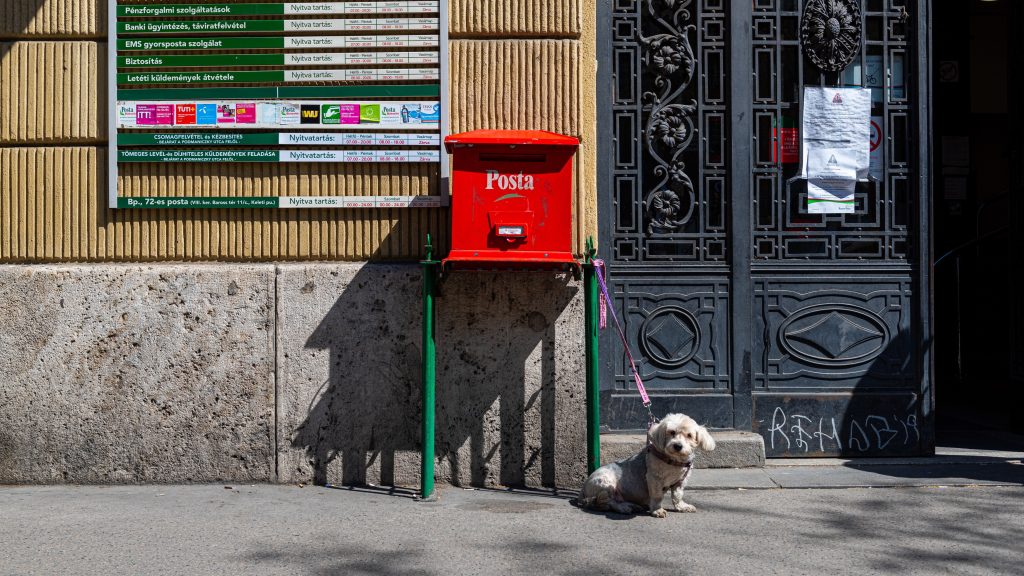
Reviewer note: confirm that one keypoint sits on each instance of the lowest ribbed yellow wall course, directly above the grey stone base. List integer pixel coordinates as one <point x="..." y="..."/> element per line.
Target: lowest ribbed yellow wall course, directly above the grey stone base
<point x="54" y="208"/>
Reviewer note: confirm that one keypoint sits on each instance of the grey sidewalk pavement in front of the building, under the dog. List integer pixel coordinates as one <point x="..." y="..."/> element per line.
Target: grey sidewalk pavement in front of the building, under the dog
<point x="287" y="530"/>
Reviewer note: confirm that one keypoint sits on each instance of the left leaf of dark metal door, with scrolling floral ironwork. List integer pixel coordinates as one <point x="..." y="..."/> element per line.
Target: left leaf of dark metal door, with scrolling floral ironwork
<point x="666" y="210"/>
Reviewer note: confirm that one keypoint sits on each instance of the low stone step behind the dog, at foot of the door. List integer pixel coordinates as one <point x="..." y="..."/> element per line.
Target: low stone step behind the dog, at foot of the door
<point x="735" y="449"/>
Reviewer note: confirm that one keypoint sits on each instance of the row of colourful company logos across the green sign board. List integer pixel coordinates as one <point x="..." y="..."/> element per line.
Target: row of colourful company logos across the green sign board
<point x="274" y="114"/>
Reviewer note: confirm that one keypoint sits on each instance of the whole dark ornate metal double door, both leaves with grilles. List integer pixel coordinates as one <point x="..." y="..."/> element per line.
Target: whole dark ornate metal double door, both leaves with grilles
<point x="747" y="311"/>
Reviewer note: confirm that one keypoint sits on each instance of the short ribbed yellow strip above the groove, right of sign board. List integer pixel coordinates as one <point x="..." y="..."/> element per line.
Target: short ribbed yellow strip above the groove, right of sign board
<point x="550" y="19"/>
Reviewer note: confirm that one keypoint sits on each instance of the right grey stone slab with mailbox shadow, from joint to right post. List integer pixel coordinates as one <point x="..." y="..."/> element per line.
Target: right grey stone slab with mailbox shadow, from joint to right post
<point x="509" y="378"/>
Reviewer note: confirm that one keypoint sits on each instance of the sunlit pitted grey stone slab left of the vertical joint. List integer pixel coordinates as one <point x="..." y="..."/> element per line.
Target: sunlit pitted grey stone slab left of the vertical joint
<point x="126" y="374"/>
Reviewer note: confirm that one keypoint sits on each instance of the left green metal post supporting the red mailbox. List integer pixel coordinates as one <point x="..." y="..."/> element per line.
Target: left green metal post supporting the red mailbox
<point x="428" y="464"/>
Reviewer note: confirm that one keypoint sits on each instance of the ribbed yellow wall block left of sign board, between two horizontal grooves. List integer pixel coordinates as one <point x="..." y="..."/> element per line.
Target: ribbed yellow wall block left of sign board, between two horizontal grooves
<point x="52" y="93"/>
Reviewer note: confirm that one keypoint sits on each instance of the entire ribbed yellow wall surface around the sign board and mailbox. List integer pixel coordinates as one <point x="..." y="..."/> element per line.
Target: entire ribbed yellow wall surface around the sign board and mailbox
<point x="53" y="199"/>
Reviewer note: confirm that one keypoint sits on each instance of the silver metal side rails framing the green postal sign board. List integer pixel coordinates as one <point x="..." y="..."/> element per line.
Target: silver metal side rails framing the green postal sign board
<point x="445" y="99"/>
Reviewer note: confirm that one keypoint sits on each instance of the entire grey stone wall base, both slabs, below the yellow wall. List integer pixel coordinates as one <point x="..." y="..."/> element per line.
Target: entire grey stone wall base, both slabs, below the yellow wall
<point x="297" y="374"/>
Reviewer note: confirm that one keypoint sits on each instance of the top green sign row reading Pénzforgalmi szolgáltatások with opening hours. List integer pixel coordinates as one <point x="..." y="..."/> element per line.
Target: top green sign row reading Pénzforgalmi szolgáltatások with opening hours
<point x="379" y="8"/>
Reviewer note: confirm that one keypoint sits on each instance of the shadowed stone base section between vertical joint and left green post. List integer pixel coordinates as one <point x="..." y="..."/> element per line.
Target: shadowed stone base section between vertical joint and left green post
<point x="349" y="374"/>
